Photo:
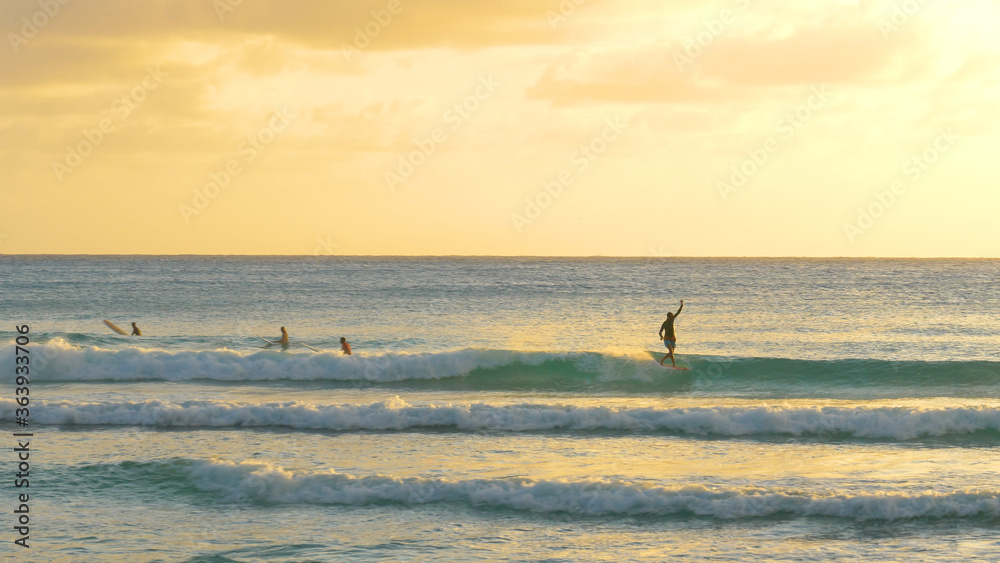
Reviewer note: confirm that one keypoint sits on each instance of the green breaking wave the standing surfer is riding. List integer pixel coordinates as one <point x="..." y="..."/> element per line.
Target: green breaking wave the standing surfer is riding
<point x="474" y="369"/>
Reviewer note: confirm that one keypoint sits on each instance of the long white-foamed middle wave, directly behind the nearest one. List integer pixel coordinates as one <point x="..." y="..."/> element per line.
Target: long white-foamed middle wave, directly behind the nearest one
<point x="891" y="423"/>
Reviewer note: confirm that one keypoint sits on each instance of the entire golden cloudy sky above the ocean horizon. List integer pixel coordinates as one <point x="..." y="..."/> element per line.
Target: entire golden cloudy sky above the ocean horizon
<point x="501" y="127"/>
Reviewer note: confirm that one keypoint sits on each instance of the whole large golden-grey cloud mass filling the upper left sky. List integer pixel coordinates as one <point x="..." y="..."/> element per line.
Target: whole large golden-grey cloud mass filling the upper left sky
<point x="101" y="45"/>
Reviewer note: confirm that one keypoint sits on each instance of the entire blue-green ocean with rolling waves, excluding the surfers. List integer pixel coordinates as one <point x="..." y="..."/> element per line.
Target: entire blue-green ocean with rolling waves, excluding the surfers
<point x="501" y="409"/>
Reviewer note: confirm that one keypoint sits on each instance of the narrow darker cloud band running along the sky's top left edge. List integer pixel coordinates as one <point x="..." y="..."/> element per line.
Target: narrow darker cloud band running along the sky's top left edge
<point x="401" y="24"/>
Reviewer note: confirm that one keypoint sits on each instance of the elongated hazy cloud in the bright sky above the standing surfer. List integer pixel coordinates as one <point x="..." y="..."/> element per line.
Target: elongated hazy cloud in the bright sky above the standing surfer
<point x="725" y="69"/>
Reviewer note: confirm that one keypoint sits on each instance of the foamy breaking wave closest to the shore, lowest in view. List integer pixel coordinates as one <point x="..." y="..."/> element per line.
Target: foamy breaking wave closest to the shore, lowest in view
<point x="265" y="484"/>
